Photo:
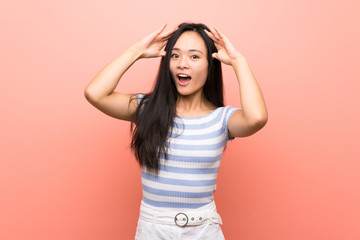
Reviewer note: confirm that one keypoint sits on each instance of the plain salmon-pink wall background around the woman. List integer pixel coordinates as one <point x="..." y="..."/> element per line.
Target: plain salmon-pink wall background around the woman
<point x="66" y="171"/>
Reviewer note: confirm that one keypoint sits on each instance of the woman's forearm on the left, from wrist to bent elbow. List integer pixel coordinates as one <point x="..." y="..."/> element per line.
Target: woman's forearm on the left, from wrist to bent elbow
<point x="105" y="81"/>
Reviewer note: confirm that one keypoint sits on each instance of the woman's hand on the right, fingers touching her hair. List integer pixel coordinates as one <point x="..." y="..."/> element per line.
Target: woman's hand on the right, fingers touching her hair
<point x="226" y="51"/>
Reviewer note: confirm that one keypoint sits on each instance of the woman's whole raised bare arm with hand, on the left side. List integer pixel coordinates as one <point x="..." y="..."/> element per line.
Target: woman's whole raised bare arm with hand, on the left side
<point x="100" y="91"/>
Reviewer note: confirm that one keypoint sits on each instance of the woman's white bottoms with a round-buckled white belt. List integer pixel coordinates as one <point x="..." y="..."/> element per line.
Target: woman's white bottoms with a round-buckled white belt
<point x="201" y="223"/>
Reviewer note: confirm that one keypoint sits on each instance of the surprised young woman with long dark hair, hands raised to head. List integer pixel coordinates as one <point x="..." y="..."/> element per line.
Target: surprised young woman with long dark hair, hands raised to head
<point x="180" y="129"/>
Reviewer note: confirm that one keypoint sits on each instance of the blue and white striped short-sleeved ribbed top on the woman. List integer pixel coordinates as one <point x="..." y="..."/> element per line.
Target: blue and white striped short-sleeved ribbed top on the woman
<point x="187" y="178"/>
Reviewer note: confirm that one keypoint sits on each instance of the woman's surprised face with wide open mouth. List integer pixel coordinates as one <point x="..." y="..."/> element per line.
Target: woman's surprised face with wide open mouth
<point x="189" y="64"/>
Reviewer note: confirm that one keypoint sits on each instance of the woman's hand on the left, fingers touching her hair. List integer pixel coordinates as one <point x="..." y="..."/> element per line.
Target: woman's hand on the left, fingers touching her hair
<point x="152" y="45"/>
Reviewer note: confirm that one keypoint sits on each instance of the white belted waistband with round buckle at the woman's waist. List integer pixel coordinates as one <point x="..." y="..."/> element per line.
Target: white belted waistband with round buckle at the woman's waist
<point x="193" y="217"/>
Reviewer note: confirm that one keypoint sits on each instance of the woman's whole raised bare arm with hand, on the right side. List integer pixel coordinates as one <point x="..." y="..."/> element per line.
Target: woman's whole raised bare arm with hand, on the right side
<point x="253" y="115"/>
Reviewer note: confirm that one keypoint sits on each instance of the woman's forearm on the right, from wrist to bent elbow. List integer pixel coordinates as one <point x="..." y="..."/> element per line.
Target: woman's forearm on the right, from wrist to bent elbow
<point x="251" y="98"/>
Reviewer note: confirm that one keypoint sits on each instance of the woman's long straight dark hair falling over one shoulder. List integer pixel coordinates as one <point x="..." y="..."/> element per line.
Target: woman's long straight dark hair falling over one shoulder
<point x="154" y="117"/>
